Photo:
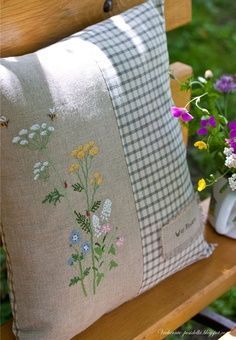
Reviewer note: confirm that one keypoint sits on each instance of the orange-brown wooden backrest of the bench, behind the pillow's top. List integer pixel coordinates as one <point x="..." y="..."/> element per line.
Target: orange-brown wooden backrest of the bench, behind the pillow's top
<point x="35" y="24"/>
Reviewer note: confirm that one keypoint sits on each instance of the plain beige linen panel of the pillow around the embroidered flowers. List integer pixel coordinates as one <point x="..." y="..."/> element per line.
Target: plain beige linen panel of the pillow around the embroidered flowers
<point x="37" y="234"/>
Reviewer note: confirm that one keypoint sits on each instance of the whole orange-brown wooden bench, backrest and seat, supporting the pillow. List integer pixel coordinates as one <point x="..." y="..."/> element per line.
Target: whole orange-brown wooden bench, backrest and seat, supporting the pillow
<point x="27" y="26"/>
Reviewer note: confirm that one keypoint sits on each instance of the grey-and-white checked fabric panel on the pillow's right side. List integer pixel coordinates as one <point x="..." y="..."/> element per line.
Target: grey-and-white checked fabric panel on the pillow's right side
<point x="134" y="63"/>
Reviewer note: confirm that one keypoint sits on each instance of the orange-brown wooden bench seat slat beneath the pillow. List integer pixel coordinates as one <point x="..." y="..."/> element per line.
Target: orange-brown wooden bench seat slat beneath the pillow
<point x="171" y="303"/>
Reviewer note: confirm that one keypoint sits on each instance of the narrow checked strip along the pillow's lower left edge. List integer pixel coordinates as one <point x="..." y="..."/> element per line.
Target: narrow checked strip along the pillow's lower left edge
<point x="11" y="284"/>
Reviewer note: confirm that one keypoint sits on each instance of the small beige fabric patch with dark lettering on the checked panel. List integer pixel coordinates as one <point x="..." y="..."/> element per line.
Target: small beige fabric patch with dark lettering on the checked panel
<point x="182" y="231"/>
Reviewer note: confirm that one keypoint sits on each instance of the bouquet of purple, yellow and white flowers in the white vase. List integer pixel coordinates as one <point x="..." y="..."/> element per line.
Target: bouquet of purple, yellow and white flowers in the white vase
<point x="213" y="125"/>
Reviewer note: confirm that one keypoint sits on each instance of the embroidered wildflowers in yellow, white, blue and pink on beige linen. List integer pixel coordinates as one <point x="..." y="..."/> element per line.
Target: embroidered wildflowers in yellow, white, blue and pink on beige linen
<point x="94" y="242"/>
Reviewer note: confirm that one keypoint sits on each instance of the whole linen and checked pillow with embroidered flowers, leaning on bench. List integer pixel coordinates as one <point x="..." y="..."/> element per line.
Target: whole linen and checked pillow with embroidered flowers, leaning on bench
<point x="97" y="201"/>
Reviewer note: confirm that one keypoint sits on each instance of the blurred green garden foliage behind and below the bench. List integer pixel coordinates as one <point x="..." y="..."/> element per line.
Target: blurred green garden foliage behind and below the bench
<point x="207" y="43"/>
